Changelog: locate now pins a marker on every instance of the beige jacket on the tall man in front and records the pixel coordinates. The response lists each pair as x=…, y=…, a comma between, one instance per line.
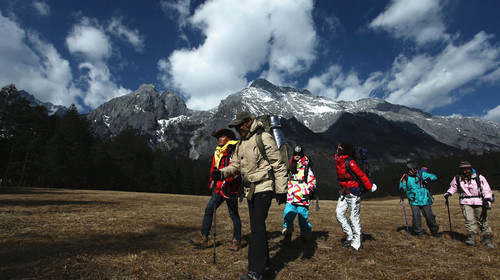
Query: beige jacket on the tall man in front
x=248, y=161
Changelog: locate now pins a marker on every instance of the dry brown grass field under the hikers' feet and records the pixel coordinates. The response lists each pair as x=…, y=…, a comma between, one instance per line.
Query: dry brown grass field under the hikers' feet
x=80, y=234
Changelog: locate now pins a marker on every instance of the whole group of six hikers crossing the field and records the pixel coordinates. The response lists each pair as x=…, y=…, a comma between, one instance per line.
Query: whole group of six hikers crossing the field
x=257, y=167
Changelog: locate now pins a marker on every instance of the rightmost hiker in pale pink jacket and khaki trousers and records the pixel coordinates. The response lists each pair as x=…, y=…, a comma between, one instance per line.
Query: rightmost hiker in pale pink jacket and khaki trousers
x=475, y=199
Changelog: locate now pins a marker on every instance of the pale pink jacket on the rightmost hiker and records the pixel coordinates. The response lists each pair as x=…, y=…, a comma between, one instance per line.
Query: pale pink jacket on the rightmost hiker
x=469, y=193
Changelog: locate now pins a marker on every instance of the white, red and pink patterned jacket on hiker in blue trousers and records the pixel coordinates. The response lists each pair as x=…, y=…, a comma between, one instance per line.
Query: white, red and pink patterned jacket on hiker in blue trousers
x=298, y=189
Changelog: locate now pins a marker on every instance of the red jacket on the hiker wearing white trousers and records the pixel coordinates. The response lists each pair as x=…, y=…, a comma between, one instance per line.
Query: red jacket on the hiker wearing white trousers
x=348, y=184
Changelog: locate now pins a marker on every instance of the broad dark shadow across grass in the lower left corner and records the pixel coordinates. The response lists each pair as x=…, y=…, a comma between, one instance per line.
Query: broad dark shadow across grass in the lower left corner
x=20, y=258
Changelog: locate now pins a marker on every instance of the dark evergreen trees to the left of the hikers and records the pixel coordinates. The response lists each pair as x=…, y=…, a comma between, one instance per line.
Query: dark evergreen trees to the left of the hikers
x=43, y=150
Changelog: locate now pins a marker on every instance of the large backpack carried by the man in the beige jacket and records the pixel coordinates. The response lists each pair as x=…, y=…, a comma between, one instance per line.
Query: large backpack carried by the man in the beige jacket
x=272, y=125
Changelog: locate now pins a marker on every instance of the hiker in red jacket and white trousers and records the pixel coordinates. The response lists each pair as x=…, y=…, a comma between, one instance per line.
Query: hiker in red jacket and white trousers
x=352, y=181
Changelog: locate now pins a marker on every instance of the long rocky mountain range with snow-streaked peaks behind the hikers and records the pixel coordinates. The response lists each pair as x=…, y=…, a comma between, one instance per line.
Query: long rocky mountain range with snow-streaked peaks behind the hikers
x=391, y=132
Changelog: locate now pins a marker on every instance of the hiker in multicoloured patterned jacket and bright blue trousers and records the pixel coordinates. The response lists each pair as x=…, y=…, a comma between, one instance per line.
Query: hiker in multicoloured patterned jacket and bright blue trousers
x=301, y=188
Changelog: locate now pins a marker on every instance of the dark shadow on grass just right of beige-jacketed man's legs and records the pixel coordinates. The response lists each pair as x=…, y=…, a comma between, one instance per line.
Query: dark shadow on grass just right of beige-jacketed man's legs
x=298, y=248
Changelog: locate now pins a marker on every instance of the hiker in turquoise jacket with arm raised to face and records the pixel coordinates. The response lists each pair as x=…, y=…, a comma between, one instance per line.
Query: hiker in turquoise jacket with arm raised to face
x=413, y=183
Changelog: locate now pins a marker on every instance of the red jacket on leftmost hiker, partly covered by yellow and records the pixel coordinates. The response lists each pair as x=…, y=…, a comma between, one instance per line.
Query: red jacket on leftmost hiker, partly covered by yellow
x=231, y=185
